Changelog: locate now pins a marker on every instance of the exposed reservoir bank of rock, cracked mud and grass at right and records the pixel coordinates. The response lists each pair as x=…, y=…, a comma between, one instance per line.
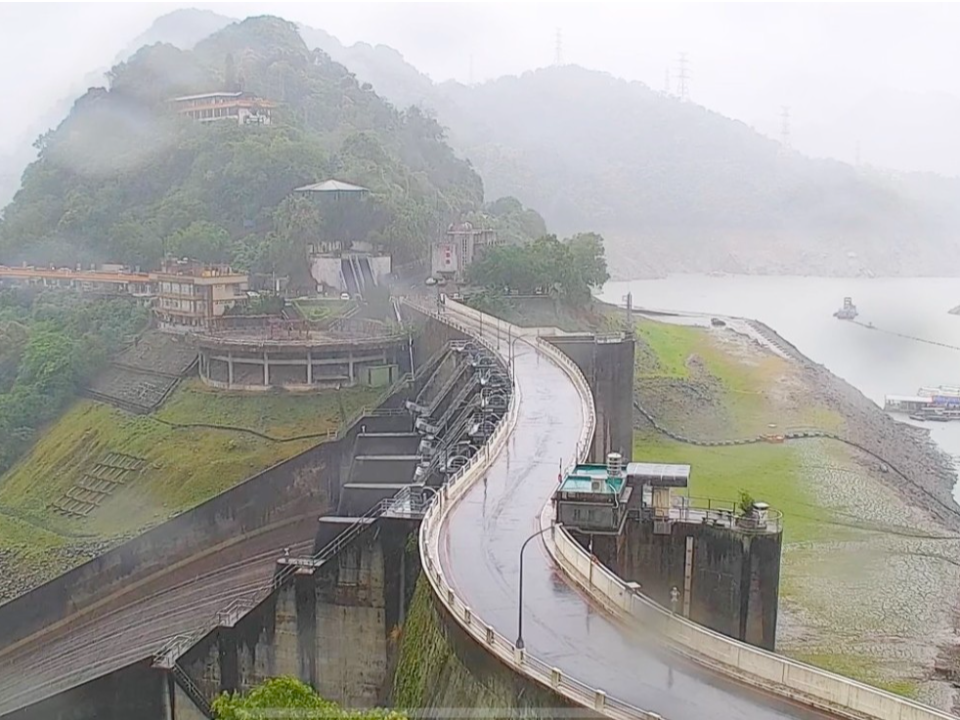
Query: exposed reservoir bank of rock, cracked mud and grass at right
x=869, y=582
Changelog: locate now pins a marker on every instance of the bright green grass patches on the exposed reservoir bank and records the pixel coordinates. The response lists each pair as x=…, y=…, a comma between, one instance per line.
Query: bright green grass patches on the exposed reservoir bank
x=743, y=402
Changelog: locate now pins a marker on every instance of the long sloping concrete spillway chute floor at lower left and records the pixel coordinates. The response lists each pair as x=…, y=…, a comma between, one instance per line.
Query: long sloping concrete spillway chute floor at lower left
x=134, y=625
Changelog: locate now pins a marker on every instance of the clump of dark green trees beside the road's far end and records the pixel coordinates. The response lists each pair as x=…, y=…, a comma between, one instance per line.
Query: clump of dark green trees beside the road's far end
x=567, y=269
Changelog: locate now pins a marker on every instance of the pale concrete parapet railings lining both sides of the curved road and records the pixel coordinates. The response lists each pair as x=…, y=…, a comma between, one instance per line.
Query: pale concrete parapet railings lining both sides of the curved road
x=748, y=665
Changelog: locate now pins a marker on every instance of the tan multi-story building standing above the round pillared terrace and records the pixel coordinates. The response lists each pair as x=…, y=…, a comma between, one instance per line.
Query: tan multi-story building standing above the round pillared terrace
x=192, y=295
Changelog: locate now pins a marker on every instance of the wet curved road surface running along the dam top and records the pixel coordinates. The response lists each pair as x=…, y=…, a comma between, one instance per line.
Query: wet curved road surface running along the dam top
x=480, y=557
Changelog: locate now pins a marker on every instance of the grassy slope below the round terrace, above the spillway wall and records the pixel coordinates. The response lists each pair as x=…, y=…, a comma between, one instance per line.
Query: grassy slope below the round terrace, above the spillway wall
x=185, y=467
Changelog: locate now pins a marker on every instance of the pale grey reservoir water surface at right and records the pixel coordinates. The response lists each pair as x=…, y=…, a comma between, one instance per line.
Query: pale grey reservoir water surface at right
x=801, y=310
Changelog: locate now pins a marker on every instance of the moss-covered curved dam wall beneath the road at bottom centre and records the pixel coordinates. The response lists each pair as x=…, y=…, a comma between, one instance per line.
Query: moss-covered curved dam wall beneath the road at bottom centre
x=441, y=668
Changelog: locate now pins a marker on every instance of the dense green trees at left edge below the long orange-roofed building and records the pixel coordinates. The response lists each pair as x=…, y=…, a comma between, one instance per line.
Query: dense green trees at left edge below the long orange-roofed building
x=51, y=343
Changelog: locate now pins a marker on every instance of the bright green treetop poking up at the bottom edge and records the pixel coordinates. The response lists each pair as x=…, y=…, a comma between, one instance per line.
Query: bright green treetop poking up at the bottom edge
x=286, y=693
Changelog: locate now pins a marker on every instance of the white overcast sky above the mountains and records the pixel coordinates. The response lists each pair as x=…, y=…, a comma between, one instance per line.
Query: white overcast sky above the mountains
x=746, y=60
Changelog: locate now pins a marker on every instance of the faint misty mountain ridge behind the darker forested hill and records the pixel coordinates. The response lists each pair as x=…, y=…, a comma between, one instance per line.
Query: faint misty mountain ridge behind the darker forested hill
x=673, y=186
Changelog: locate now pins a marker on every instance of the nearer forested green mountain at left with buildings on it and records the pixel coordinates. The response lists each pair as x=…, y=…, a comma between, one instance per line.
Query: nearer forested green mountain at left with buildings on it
x=125, y=179
